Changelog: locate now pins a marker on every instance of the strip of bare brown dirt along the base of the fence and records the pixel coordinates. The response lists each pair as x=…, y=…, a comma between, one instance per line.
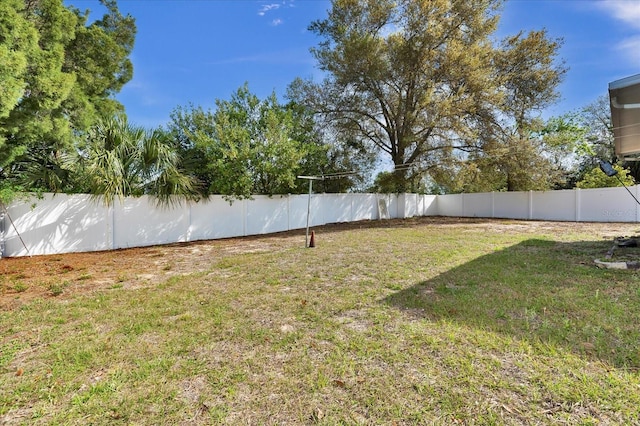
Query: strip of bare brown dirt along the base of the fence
x=23, y=279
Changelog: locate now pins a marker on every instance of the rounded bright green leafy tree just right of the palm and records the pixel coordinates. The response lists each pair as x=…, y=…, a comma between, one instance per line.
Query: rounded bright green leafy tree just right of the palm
x=246, y=146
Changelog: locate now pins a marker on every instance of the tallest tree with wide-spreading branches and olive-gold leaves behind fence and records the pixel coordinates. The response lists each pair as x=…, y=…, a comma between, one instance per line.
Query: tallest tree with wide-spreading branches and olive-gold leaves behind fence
x=419, y=80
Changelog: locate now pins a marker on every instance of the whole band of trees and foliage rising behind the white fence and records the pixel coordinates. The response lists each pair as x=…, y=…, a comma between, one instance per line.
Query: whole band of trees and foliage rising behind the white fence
x=425, y=88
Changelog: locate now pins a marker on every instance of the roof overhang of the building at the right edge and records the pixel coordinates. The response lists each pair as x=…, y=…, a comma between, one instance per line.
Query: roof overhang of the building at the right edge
x=624, y=97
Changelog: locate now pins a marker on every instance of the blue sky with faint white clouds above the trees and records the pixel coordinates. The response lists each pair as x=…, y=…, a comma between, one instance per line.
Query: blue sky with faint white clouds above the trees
x=196, y=51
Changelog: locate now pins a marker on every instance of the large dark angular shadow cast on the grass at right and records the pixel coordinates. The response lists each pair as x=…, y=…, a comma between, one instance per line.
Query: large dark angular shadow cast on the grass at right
x=541, y=291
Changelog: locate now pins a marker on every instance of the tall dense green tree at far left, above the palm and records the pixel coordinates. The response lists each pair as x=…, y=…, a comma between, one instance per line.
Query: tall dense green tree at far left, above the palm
x=73, y=71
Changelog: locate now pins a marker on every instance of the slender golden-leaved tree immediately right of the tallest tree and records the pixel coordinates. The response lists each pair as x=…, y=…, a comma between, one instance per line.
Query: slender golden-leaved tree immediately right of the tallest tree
x=514, y=141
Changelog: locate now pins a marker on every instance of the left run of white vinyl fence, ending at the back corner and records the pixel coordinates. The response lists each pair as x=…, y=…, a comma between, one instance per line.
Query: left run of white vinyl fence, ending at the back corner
x=77, y=223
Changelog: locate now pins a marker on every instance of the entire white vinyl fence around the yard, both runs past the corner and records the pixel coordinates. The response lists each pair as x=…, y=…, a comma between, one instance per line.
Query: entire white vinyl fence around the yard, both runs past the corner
x=76, y=223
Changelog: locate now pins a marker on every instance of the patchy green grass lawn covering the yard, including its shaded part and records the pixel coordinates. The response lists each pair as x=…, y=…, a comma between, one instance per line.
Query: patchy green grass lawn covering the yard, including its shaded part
x=423, y=322
